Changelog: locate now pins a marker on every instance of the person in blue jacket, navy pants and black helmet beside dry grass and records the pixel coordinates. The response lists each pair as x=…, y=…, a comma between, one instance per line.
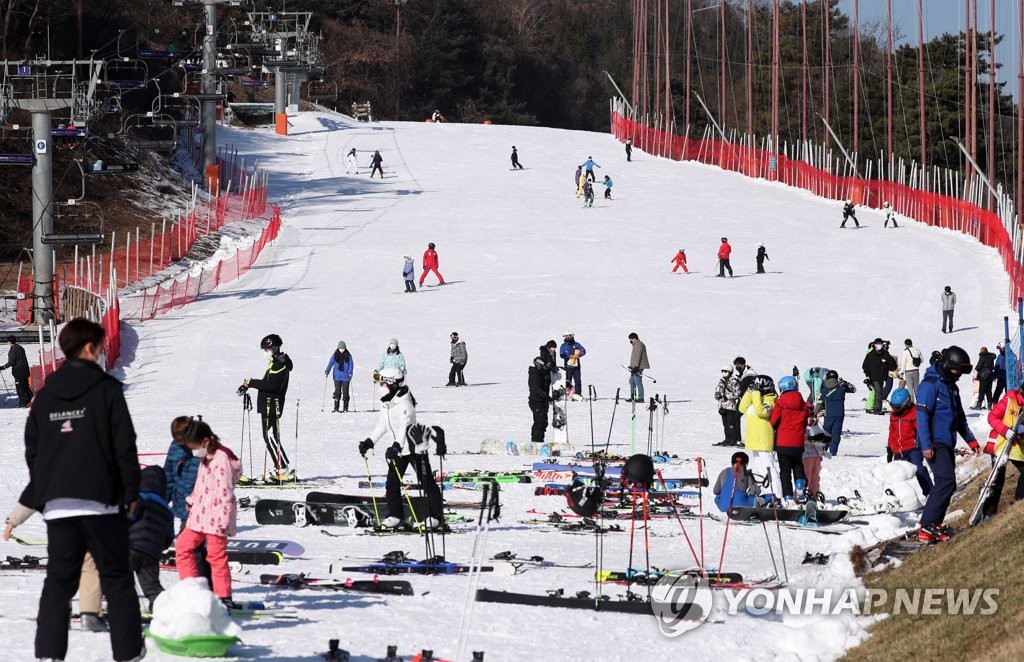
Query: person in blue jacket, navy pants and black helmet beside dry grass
x=941, y=419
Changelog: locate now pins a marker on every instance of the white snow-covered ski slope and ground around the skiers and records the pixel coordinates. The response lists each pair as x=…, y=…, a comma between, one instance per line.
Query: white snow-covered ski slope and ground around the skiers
x=526, y=263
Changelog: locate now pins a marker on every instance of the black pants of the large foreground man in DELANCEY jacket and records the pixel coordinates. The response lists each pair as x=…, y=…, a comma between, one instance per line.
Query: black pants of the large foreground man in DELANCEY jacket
x=106, y=537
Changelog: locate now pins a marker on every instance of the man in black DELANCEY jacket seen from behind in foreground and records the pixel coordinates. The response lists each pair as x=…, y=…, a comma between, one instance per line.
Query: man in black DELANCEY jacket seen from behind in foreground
x=84, y=478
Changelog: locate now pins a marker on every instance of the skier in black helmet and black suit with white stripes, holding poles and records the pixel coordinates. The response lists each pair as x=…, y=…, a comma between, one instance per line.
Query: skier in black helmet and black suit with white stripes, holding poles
x=271, y=402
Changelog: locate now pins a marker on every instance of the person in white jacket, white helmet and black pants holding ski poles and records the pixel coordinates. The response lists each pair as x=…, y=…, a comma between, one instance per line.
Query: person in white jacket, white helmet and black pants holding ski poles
x=410, y=443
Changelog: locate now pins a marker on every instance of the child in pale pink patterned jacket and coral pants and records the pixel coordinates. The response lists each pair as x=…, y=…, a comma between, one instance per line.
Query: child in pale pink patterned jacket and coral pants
x=212, y=509
